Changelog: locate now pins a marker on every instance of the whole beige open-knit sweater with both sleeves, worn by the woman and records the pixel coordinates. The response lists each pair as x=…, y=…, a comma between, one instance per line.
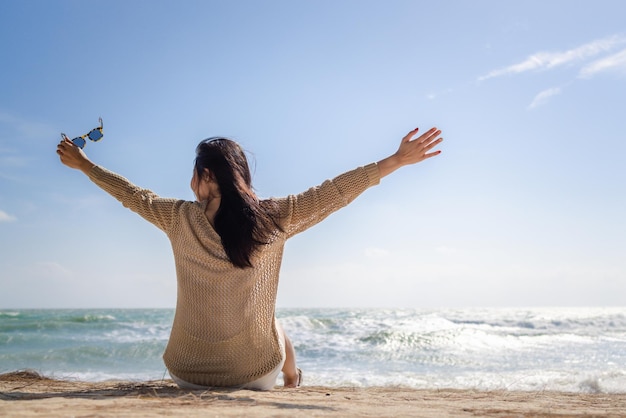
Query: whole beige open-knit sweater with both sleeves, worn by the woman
x=223, y=332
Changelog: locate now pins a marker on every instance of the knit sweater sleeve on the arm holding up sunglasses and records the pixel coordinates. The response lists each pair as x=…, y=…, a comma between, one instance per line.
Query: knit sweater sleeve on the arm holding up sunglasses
x=156, y=210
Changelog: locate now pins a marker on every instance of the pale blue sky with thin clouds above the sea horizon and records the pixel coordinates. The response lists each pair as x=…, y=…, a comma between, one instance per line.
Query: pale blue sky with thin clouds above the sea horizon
x=524, y=207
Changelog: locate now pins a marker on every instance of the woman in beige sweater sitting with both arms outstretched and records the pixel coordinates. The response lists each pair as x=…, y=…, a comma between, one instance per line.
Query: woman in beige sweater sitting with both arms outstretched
x=228, y=247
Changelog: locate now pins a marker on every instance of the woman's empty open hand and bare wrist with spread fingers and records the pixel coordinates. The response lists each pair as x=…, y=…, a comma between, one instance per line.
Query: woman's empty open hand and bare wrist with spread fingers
x=411, y=151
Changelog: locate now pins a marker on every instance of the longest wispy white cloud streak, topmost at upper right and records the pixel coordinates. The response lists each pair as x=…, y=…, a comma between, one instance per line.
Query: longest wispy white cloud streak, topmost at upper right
x=549, y=60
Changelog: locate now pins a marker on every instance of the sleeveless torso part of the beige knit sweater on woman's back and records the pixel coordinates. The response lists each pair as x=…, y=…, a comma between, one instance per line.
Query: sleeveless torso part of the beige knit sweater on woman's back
x=223, y=332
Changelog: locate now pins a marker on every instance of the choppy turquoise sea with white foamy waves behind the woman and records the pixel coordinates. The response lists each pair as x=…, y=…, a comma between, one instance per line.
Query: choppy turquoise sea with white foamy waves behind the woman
x=562, y=349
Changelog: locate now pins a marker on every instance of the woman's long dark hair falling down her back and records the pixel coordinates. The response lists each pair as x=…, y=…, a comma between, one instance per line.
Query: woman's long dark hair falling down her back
x=241, y=221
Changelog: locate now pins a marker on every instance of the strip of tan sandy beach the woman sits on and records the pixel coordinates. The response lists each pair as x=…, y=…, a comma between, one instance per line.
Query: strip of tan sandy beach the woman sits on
x=26, y=394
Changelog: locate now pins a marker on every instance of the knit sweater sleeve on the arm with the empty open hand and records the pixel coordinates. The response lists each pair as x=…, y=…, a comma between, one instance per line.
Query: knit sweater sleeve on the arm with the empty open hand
x=302, y=211
